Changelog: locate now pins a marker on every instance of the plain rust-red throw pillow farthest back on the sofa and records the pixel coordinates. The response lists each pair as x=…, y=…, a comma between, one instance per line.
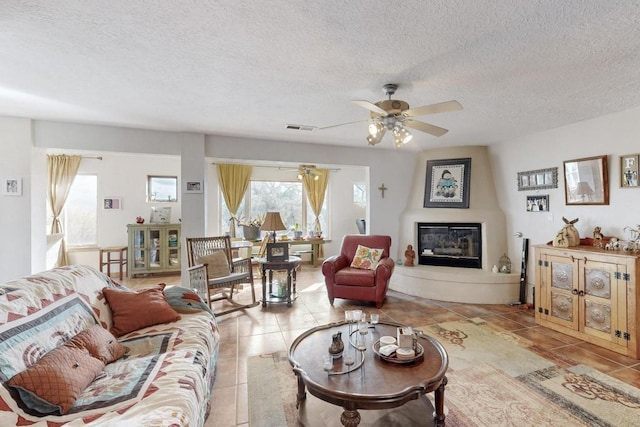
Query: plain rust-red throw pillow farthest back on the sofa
x=136, y=310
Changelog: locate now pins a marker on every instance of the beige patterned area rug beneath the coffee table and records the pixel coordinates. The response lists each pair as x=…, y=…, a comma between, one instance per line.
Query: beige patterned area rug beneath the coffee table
x=493, y=381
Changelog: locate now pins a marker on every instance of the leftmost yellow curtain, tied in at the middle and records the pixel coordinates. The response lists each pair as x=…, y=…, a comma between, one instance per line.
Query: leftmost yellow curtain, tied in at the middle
x=62, y=170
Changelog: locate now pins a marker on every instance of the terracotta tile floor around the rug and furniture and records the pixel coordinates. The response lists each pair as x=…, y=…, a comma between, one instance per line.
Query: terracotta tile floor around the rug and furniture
x=273, y=328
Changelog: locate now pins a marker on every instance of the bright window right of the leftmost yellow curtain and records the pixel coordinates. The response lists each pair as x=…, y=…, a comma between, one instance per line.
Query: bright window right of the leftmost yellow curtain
x=80, y=213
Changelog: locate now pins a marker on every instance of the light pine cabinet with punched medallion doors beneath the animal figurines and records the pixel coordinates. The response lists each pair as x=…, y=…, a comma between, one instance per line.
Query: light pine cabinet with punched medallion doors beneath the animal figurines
x=591, y=294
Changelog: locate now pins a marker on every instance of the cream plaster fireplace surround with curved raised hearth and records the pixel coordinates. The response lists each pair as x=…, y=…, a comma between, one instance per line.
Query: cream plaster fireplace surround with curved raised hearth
x=468, y=285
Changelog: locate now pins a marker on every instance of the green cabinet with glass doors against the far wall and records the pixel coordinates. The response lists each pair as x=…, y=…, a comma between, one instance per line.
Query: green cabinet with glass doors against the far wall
x=153, y=248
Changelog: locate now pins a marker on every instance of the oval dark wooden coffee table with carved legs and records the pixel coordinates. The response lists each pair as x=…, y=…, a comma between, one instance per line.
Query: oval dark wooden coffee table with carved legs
x=376, y=385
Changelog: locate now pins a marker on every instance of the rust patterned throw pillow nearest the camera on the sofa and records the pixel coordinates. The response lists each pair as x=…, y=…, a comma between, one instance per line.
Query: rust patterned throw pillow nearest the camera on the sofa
x=53, y=383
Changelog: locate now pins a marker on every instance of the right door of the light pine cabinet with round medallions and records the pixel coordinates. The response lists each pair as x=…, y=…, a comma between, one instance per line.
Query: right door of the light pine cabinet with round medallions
x=601, y=313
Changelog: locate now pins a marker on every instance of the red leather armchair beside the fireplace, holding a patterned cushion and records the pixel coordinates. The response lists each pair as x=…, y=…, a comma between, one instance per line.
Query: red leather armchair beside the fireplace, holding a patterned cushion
x=347, y=282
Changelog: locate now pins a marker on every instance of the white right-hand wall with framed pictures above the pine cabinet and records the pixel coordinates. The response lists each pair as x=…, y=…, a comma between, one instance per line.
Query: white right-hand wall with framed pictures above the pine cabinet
x=612, y=135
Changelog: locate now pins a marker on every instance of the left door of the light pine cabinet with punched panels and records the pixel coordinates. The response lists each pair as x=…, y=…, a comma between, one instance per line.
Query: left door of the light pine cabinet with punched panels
x=562, y=291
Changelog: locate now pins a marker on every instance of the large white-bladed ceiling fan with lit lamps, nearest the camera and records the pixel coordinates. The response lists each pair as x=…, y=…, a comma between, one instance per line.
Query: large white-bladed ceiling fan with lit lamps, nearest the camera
x=395, y=116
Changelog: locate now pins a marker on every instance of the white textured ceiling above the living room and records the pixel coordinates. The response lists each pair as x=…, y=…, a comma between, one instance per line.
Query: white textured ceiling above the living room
x=247, y=68
